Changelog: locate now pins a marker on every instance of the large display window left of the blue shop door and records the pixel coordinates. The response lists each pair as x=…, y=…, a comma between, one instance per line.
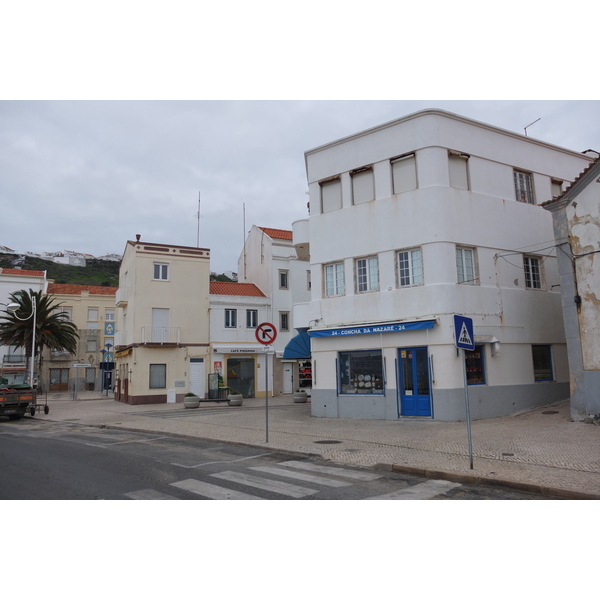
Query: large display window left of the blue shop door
x=361, y=372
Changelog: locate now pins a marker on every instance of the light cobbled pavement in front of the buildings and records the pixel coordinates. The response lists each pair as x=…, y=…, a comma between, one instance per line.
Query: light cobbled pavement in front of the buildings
x=540, y=451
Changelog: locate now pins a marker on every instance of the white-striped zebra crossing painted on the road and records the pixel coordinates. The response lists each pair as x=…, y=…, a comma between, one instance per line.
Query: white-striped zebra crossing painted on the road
x=292, y=479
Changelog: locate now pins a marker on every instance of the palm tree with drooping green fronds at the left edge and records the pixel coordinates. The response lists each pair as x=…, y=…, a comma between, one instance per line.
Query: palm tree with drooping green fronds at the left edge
x=52, y=328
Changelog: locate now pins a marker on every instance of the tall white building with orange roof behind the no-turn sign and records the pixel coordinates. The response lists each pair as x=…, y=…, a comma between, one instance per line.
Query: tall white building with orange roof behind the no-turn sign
x=270, y=260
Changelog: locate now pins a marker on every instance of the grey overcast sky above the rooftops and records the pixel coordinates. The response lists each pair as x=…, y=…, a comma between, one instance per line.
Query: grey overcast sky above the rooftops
x=90, y=175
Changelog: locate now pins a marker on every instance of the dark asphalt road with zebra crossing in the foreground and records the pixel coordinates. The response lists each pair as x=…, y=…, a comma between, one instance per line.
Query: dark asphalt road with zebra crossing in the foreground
x=64, y=461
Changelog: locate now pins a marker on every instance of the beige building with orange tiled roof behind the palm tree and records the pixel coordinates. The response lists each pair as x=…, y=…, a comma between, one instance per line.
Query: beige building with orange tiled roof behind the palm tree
x=92, y=309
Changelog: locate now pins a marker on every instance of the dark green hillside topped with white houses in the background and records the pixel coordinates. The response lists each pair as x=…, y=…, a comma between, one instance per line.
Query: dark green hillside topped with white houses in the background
x=96, y=272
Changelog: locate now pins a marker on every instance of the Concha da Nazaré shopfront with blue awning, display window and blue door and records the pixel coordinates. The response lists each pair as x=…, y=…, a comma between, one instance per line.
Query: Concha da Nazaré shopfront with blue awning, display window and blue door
x=370, y=361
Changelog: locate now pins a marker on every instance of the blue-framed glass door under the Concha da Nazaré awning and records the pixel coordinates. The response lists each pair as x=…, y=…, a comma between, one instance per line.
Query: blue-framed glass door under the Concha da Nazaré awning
x=415, y=395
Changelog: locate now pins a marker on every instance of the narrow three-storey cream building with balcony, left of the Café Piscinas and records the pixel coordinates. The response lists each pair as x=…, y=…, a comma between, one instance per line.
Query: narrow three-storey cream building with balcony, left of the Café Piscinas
x=162, y=338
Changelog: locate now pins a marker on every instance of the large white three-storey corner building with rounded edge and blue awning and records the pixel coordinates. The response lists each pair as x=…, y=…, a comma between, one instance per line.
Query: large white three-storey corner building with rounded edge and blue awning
x=415, y=221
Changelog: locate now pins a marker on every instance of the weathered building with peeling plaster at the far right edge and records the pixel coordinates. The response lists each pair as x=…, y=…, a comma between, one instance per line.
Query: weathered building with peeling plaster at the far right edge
x=576, y=218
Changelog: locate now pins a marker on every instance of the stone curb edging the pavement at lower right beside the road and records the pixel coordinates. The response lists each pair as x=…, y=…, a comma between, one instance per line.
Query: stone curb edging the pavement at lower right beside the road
x=541, y=490
